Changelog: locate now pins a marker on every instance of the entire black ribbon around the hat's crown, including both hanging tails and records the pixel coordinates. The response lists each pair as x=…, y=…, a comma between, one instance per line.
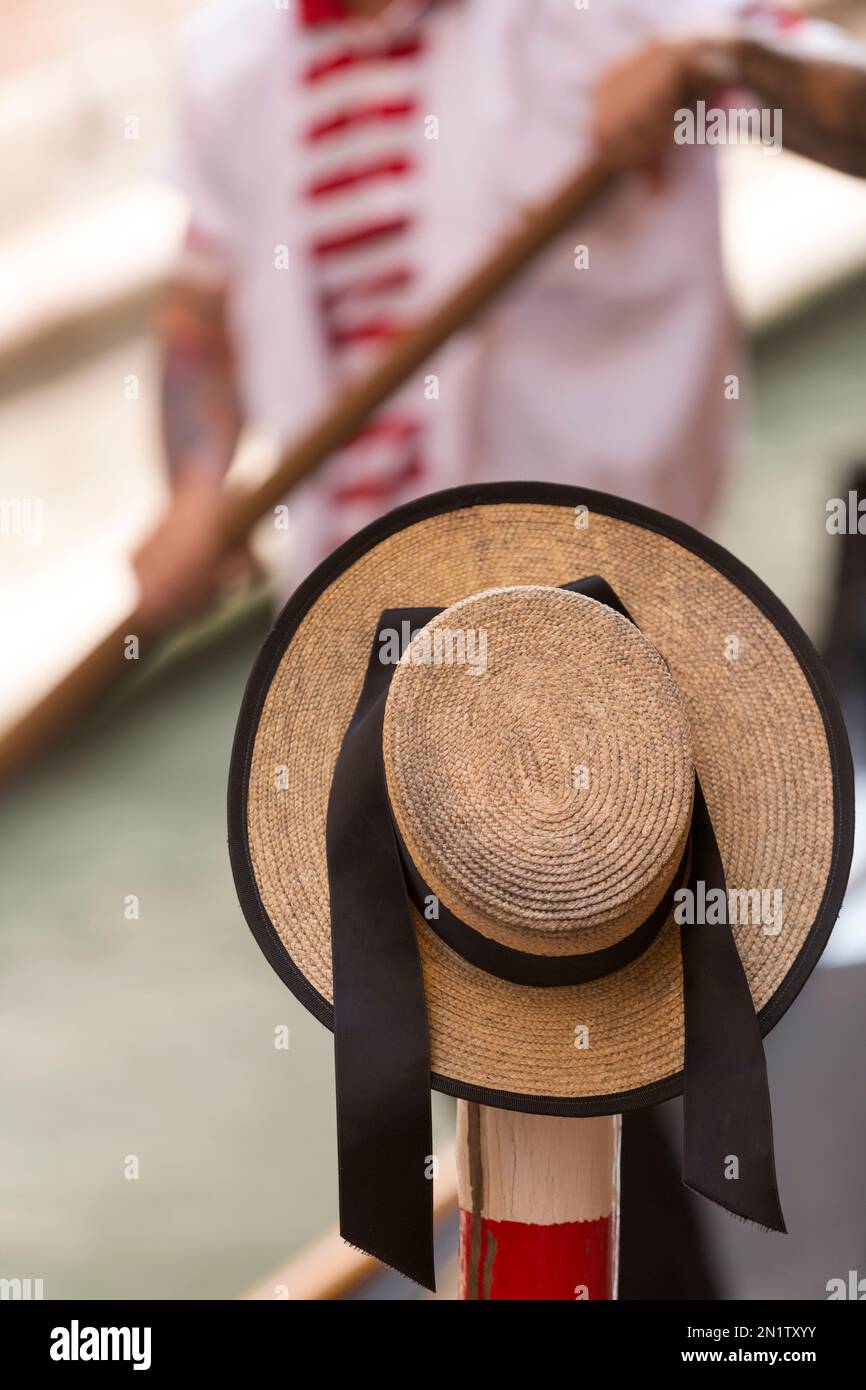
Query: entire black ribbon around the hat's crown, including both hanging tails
x=380, y=1013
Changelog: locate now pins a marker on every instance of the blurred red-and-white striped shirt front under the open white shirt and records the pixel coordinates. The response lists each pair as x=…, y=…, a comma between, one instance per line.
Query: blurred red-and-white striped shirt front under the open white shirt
x=361, y=145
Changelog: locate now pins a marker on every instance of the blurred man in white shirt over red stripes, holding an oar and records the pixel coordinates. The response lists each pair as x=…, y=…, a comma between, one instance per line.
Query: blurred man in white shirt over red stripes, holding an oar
x=347, y=162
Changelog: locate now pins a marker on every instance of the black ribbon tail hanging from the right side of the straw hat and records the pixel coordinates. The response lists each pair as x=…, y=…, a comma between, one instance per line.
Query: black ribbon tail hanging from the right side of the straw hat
x=728, y=1143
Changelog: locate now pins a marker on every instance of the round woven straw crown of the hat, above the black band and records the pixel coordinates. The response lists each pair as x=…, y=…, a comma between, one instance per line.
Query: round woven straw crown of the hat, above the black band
x=540, y=768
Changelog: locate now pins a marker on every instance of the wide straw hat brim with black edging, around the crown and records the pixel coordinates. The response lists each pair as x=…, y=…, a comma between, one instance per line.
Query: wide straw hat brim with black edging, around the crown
x=769, y=742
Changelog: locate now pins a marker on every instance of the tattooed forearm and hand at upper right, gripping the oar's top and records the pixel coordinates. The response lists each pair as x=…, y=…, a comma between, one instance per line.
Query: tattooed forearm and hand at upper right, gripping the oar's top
x=824, y=101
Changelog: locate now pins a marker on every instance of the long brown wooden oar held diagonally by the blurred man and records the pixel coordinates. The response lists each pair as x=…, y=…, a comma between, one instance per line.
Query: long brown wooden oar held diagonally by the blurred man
x=108, y=662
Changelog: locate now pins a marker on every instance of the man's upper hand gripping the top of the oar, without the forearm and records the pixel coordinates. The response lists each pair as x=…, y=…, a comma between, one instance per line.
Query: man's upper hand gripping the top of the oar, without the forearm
x=636, y=105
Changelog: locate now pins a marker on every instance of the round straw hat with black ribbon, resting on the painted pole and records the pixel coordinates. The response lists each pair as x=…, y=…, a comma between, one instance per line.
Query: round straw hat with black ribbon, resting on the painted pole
x=546, y=760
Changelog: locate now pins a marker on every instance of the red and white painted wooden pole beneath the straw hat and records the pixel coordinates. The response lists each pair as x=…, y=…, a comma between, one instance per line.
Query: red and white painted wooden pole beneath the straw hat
x=539, y=1203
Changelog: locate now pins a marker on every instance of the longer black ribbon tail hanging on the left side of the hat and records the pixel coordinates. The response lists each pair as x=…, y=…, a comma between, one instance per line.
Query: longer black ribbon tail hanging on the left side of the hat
x=380, y=1014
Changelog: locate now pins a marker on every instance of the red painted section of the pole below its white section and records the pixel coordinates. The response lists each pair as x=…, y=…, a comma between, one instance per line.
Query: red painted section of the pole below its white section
x=521, y=1263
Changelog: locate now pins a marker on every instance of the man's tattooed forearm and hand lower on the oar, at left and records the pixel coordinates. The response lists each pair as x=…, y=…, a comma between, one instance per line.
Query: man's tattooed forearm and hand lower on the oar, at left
x=179, y=564
